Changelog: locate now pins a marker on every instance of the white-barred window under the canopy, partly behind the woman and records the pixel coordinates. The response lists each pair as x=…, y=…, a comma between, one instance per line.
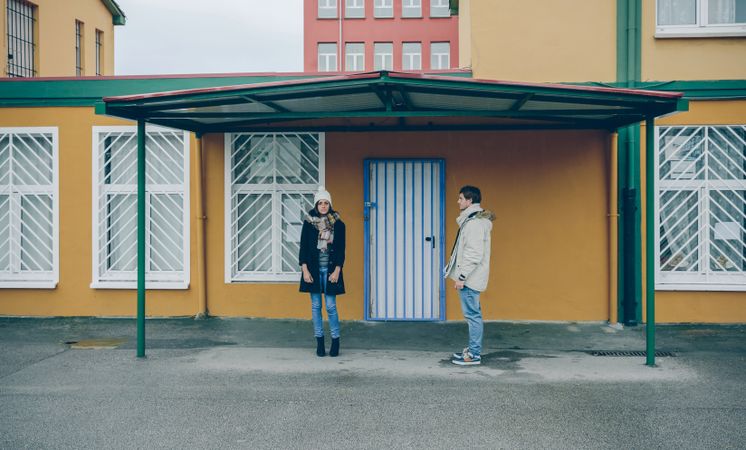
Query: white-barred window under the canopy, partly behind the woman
x=270, y=181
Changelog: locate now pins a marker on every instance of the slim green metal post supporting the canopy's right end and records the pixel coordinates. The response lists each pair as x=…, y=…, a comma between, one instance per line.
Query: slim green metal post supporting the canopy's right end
x=650, y=239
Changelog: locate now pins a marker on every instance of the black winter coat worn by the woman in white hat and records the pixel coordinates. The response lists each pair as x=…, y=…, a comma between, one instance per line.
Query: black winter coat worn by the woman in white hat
x=309, y=255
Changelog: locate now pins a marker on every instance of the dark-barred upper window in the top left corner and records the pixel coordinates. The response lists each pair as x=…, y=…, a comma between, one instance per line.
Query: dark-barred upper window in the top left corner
x=21, y=41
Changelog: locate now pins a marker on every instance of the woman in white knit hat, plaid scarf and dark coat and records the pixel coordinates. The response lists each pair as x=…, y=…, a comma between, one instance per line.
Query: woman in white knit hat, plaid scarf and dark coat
x=322, y=255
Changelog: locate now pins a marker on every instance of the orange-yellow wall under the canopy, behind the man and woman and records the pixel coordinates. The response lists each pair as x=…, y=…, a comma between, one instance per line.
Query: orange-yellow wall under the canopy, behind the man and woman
x=548, y=189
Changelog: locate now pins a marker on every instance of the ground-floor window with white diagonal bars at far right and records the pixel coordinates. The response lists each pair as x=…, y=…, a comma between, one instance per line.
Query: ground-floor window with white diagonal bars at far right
x=702, y=207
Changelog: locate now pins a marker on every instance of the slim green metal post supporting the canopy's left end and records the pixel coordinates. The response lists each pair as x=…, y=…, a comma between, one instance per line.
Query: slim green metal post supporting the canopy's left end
x=140, y=239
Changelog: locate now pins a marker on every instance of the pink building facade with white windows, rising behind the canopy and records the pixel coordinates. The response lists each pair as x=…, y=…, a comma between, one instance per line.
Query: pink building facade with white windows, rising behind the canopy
x=367, y=35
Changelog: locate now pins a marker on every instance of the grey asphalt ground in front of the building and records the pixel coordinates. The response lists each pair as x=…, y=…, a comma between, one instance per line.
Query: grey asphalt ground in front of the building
x=251, y=383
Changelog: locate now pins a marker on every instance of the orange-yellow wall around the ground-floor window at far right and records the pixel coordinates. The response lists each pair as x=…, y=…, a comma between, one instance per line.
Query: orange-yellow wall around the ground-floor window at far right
x=695, y=306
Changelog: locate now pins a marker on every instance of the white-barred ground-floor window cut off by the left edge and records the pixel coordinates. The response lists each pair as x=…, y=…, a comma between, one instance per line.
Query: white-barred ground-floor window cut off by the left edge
x=29, y=208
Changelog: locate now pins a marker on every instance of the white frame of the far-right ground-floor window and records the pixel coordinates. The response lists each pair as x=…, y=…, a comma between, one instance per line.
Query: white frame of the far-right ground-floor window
x=703, y=280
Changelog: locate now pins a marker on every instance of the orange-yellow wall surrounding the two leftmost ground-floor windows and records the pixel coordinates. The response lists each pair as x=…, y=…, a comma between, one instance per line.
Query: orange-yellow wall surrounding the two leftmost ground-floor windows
x=73, y=295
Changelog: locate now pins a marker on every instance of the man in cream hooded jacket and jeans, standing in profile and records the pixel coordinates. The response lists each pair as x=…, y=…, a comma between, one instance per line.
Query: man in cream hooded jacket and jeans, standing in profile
x=469, y=267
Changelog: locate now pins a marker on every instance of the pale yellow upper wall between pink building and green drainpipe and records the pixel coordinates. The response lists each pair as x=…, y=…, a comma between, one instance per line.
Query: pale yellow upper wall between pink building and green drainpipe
x=542, y=40
